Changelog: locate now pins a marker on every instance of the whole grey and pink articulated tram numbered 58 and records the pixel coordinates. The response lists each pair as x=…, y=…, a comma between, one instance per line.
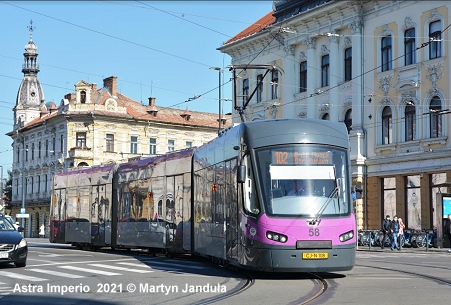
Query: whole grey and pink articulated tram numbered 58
x=267, y=195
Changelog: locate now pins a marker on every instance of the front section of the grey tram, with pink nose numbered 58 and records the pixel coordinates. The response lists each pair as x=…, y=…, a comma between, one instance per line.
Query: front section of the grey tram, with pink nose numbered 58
x=281, y=197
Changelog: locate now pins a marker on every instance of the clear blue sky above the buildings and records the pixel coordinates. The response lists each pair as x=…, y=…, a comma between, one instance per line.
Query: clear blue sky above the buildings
x=161, y=49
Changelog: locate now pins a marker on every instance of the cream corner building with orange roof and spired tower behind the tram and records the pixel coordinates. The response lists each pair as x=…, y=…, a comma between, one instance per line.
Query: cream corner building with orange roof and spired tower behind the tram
x=91, y=126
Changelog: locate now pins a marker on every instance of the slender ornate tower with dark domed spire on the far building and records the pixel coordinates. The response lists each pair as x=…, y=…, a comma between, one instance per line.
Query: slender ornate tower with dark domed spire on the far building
x=30, y=97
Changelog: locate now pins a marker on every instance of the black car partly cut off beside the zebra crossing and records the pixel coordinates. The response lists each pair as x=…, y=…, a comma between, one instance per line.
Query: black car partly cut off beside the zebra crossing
x=13, y=247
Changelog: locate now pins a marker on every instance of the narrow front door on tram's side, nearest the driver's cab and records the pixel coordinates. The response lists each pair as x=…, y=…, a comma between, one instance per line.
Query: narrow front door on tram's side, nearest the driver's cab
x=231, y=211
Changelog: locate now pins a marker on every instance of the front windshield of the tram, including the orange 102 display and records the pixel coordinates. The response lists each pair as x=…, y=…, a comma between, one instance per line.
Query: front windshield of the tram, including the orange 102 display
x=304, y=180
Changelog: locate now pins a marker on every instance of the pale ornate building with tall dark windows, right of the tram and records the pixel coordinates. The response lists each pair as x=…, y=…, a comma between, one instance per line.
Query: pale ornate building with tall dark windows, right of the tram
x=381, y=68
